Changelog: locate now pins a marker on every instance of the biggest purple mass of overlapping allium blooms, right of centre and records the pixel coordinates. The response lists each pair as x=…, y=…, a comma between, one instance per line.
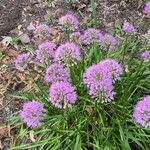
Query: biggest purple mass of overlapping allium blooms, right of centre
x=99, y=79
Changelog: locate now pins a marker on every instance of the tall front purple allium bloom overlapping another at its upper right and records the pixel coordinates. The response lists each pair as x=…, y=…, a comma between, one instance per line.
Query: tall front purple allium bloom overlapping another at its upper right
x=99, y=82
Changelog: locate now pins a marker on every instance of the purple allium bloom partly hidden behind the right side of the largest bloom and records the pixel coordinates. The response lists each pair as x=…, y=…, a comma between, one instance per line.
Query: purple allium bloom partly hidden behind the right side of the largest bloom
x=114, y=67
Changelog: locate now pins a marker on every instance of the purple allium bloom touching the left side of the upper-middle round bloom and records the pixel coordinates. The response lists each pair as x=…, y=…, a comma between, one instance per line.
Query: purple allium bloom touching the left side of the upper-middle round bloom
x=45, y=52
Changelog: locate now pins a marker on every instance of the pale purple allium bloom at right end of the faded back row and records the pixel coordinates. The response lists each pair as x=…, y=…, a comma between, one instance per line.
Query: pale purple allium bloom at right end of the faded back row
x=108, y=39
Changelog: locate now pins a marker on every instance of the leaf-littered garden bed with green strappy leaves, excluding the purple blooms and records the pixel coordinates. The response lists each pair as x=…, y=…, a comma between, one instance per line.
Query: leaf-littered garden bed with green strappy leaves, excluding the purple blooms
x=18, y=87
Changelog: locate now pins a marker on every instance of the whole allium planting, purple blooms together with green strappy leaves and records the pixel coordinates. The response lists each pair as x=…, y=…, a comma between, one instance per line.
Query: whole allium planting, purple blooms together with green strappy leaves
x=86, y=100
